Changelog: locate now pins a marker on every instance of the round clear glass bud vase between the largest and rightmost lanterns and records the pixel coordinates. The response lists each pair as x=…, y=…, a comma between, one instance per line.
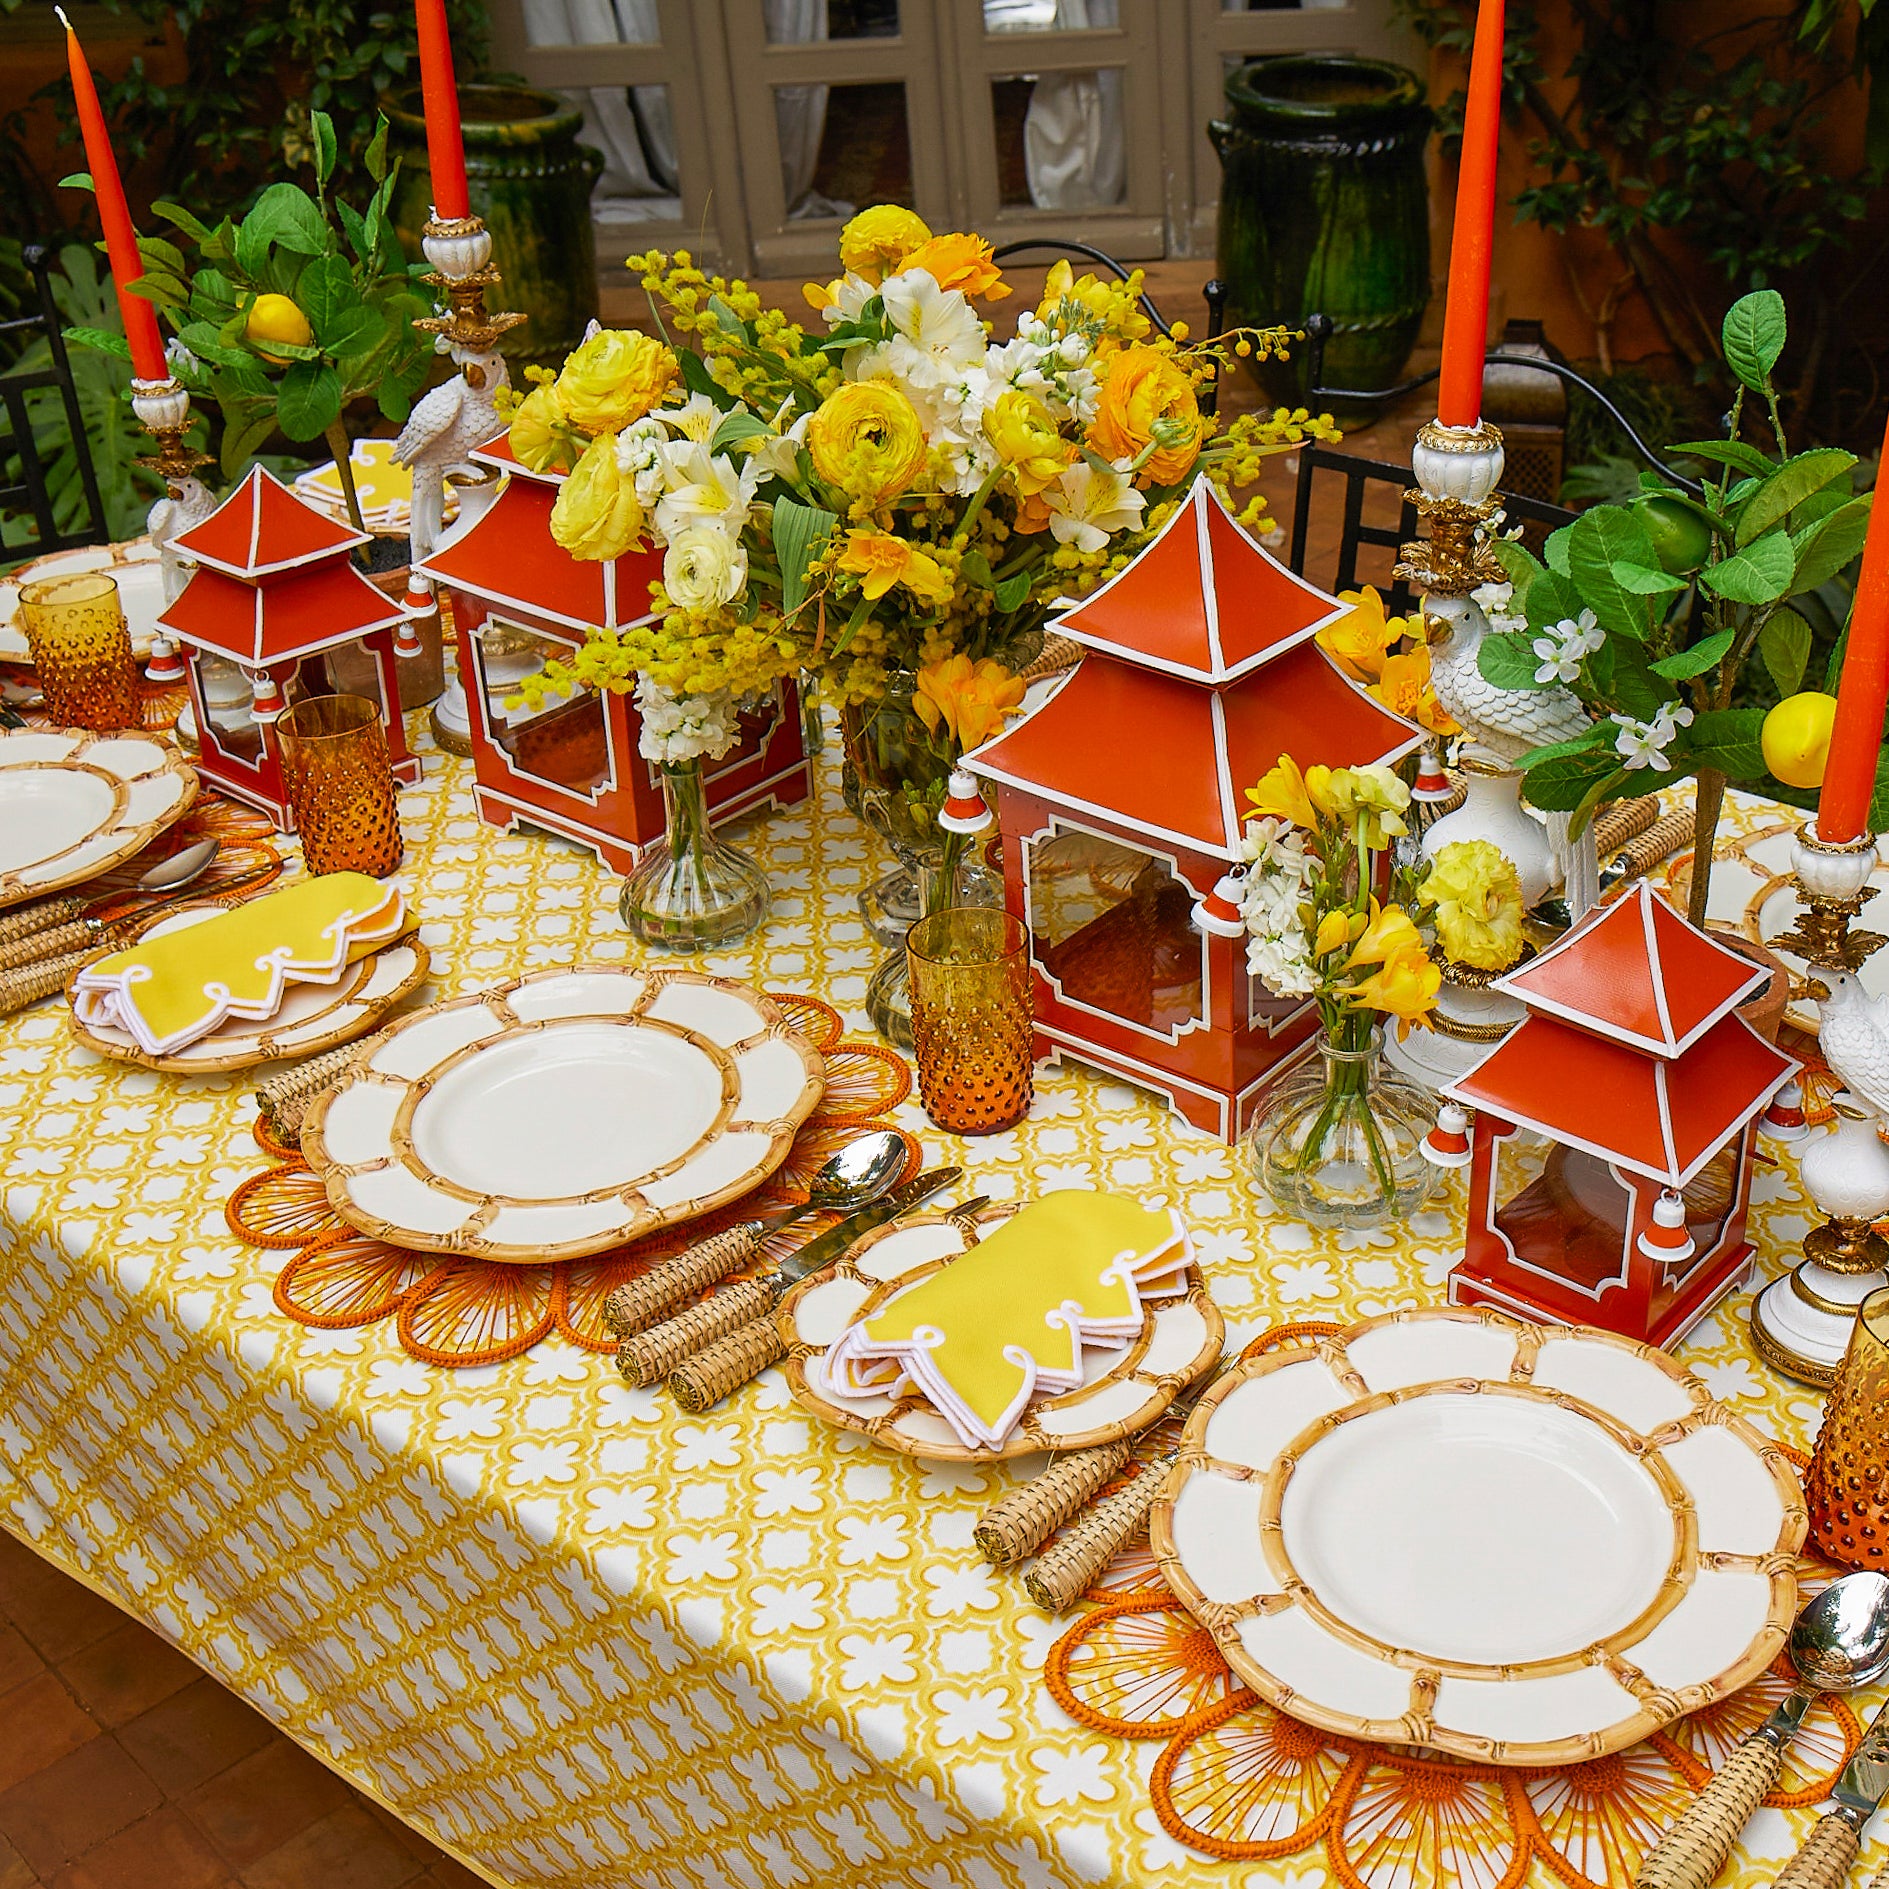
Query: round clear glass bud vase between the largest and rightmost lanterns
x=1340, y=1142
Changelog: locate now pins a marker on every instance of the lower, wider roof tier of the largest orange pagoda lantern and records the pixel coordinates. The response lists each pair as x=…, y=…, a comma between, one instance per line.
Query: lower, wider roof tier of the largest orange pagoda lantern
x=1172, y=760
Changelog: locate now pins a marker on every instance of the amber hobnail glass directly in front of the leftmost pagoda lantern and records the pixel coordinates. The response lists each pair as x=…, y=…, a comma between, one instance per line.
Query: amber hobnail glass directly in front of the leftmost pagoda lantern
x=341, y=785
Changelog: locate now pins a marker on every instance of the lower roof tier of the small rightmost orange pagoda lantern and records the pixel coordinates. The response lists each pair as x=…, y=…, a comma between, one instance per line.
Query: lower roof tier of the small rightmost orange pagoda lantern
x=1661, y=1117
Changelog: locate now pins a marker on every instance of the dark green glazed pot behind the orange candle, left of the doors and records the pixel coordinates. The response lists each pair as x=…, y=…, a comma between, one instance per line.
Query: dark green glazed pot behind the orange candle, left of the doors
x=530, y=179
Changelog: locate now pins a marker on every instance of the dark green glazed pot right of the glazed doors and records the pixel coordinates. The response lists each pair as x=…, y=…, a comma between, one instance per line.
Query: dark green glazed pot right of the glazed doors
x=1325, y=211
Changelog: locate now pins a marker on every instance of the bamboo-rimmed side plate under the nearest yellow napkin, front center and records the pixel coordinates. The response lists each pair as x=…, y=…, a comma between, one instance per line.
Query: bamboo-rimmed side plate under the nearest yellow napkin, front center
x=1182, y=1338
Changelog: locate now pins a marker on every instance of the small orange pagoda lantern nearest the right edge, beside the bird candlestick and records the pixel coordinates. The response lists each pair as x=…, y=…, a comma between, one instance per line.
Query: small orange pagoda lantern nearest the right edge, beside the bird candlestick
x=1610, y=1163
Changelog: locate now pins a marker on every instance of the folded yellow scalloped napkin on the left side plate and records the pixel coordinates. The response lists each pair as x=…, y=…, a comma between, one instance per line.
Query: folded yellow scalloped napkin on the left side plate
x=179, y=987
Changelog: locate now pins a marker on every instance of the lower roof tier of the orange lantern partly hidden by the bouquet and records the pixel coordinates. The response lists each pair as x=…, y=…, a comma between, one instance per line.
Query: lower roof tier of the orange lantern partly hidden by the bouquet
x=511, y=558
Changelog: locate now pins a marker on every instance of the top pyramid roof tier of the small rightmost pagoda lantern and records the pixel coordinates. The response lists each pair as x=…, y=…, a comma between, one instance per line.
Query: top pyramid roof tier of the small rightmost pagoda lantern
x=1639, y=974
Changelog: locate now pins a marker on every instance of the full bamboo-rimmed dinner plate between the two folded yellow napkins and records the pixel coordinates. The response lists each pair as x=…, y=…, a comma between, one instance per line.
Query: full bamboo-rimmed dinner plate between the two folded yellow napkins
x=564, y=1114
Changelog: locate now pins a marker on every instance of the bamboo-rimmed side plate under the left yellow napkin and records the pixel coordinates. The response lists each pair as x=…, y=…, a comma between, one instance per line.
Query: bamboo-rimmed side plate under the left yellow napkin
x=313, y=1017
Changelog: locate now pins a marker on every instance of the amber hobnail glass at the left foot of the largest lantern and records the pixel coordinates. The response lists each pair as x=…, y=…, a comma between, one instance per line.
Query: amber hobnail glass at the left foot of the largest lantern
x=972, y=1019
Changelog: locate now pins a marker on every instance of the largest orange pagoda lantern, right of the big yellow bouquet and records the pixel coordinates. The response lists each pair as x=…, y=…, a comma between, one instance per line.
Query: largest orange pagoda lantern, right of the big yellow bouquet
x=1123, y=802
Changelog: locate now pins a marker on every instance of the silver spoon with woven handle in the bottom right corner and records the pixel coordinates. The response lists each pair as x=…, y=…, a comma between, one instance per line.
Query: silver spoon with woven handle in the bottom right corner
x=1839, y=1642
